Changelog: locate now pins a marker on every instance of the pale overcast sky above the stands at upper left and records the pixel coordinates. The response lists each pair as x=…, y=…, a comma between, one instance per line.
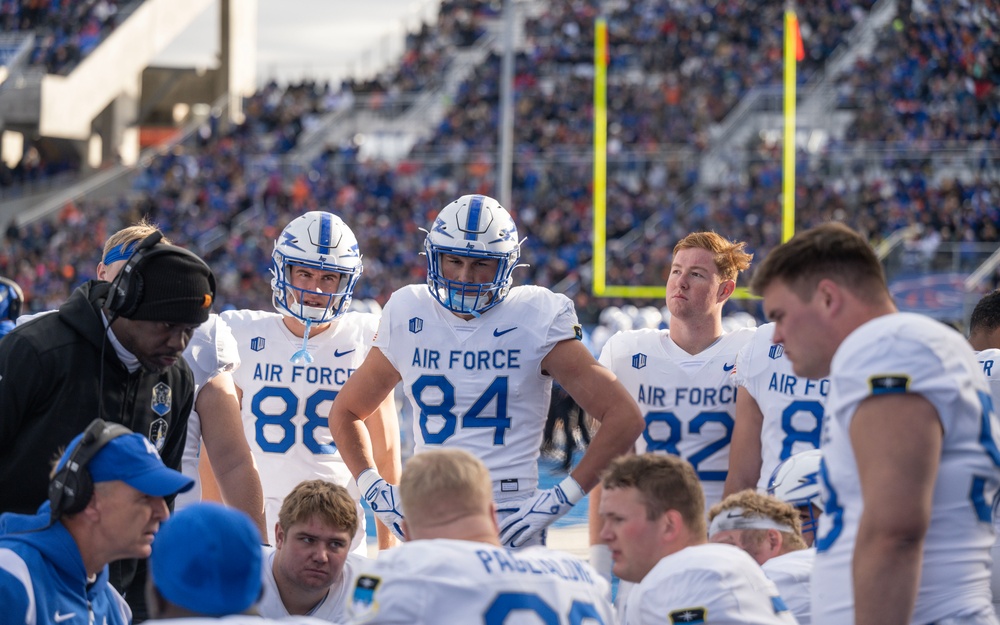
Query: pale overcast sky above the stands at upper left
x=323, y=39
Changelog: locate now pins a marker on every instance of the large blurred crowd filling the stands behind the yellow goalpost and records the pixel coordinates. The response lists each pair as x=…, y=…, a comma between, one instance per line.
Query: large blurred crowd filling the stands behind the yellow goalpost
x=203, y=186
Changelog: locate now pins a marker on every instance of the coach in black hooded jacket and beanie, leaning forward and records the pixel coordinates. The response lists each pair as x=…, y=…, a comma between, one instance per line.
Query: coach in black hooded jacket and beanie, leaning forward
x=60, y=371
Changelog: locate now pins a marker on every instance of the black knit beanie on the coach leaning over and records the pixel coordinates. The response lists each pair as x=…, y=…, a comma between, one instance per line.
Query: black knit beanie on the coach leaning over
x=174, y=288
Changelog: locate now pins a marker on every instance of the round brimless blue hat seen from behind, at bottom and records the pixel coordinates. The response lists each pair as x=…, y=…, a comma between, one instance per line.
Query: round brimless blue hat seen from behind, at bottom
x=207, y=559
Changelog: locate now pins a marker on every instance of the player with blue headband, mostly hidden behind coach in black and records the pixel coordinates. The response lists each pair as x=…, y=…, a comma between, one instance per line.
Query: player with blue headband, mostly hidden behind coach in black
x=211, y=354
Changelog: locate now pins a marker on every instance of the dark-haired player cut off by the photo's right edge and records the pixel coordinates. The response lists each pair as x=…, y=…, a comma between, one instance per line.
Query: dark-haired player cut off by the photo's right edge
x=984, y=337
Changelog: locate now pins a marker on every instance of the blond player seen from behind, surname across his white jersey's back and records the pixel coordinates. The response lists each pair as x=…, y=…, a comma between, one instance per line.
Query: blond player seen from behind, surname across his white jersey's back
x=452, y=569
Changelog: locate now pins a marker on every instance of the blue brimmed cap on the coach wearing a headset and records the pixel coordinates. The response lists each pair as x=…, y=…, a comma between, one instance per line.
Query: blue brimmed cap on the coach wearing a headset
x=132, y=459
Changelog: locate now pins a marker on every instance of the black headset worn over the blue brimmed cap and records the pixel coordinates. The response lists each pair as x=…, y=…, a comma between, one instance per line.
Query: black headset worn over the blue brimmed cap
x=72, y=487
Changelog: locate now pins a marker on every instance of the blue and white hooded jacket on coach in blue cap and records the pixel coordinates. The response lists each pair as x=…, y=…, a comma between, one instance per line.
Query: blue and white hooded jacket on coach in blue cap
x=43, y=580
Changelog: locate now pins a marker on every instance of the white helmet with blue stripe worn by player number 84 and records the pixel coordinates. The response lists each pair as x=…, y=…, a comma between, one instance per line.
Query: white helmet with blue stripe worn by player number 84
x=473, y=226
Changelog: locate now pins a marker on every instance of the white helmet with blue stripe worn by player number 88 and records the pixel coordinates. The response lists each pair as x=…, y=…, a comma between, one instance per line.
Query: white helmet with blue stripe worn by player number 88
x=322, y=241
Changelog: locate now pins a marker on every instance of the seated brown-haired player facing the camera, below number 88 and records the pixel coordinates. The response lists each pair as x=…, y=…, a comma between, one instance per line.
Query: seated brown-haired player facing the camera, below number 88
x=309, y=570
